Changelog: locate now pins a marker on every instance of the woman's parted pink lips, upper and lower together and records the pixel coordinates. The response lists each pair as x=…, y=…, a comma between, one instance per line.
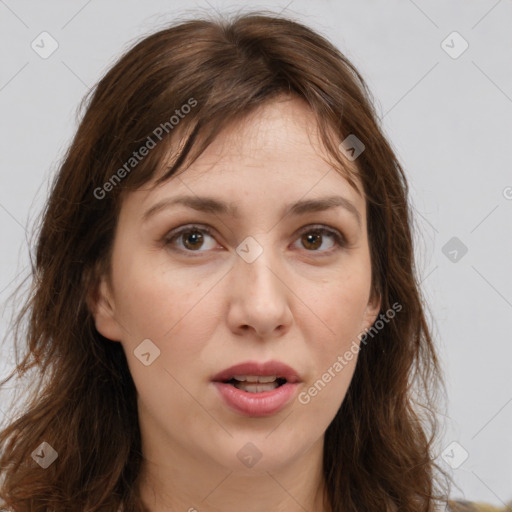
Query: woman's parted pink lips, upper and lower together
x=258, y=404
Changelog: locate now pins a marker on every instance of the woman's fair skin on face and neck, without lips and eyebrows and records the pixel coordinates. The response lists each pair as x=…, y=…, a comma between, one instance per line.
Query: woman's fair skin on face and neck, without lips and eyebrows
x=301, y=302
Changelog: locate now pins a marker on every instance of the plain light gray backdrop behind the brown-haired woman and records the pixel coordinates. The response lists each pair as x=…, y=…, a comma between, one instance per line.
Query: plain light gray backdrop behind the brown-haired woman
x=449, y=119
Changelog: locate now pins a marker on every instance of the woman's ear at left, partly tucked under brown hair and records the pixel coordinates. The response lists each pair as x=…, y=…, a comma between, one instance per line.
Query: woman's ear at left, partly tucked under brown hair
x=102, y=307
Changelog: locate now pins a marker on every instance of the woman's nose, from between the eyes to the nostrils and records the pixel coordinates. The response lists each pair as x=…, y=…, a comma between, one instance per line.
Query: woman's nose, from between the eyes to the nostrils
x=259, y=297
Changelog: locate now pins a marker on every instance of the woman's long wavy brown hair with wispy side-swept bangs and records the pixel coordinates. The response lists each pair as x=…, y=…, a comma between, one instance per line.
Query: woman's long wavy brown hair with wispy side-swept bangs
x=378, y=448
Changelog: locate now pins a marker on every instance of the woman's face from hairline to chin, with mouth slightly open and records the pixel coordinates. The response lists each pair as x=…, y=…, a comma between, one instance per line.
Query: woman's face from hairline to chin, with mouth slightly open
x=264, y=284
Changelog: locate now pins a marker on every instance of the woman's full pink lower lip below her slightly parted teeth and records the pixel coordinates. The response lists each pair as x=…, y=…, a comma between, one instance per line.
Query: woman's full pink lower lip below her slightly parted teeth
x=265, y=403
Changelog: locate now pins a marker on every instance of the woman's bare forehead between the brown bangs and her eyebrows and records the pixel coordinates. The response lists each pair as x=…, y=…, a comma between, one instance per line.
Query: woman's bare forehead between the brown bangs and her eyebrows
x=274, y=154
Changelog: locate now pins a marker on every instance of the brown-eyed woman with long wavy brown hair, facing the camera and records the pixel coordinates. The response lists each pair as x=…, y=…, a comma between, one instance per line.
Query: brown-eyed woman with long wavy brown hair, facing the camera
x=225, y=312
